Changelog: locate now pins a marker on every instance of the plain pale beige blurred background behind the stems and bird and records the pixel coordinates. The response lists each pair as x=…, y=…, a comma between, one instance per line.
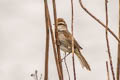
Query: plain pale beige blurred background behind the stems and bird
x=22, y=38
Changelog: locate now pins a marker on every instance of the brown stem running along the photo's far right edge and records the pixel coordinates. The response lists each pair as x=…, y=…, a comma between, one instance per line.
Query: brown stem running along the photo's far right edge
x=118, y=59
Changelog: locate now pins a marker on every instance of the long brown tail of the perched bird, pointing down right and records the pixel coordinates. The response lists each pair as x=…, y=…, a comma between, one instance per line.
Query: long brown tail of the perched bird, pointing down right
x=83, y=62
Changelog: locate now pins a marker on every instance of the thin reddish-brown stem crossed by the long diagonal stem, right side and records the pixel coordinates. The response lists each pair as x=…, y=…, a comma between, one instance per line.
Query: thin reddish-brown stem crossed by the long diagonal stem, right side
x=108, y=47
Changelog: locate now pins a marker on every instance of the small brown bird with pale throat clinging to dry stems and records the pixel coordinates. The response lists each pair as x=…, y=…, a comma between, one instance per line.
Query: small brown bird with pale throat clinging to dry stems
x=65, y=42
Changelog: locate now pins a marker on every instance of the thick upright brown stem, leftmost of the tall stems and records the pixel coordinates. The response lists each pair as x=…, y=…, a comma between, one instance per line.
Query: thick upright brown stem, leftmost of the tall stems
x=47, y=43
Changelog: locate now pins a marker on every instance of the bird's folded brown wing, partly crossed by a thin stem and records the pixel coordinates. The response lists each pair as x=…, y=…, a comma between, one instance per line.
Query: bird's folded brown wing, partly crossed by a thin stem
x=68, y=36
